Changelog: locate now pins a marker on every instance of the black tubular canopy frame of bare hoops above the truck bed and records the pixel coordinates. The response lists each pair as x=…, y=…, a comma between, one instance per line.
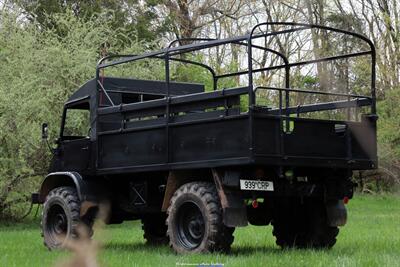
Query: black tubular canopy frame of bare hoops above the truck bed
x=168, y=55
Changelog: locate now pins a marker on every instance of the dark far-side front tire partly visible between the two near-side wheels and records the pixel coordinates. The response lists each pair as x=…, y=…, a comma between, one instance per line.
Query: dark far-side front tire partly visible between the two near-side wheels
x=155, y=229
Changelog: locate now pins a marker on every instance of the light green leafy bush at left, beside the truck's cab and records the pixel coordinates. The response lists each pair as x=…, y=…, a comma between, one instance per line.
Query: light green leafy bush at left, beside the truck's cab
x=39, y=70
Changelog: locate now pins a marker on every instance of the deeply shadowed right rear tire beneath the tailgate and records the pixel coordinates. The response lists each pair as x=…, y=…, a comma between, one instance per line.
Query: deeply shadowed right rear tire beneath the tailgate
x=303, y=225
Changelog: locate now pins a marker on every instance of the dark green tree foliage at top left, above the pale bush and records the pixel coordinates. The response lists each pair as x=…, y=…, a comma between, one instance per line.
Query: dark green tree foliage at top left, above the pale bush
x=138, y=19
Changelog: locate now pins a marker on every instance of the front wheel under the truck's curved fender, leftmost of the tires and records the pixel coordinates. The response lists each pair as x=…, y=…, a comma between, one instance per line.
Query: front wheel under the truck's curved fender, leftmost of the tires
x=61, y=218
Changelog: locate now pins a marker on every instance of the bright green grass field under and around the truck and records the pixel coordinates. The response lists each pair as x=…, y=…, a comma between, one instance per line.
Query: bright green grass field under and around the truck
x=371, y=238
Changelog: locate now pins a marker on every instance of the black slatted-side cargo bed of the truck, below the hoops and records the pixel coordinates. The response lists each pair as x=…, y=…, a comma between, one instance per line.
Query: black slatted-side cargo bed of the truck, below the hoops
x=209, y=130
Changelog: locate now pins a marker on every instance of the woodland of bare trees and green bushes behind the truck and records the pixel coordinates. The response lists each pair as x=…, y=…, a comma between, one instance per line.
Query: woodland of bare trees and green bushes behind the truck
x=49, y=48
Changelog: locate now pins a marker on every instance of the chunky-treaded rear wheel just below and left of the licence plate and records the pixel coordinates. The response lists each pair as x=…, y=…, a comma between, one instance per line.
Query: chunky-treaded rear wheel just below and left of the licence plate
x=192, y=203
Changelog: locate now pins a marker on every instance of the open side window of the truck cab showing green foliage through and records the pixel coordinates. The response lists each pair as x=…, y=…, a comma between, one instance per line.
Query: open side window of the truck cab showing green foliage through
x=77, y=122
